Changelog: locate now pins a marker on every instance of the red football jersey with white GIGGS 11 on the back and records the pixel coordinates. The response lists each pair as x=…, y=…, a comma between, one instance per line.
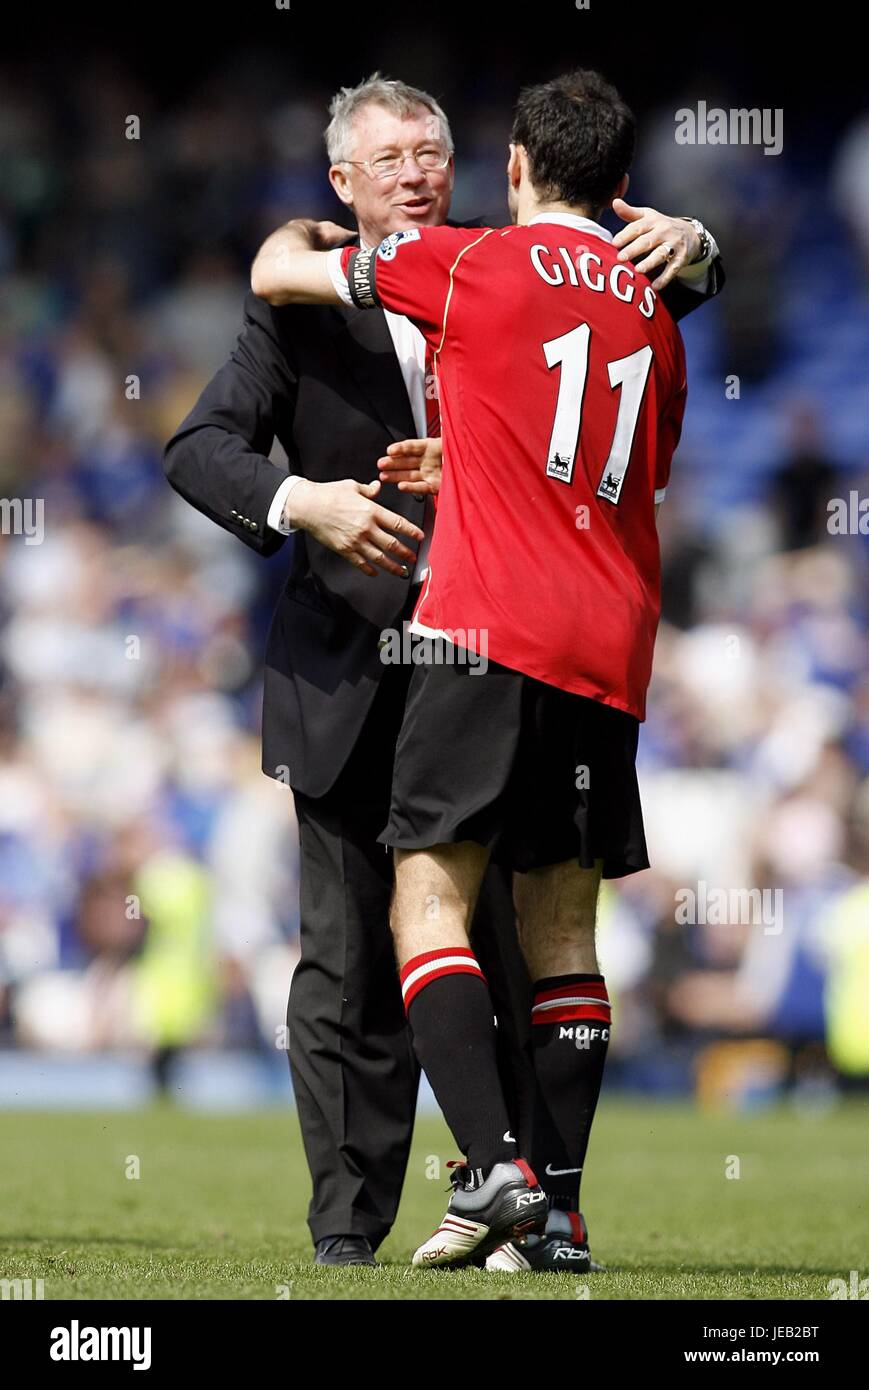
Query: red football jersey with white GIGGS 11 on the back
x=562, y=387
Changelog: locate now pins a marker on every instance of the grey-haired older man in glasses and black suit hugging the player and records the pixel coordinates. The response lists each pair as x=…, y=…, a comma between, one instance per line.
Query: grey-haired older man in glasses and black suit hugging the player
x=337, y=389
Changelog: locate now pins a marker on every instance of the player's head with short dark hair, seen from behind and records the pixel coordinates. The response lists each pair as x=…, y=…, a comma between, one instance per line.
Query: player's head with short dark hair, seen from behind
x=579, y=137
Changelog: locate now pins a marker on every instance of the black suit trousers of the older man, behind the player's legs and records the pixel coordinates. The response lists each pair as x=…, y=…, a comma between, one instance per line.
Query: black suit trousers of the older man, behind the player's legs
x=354, y=1068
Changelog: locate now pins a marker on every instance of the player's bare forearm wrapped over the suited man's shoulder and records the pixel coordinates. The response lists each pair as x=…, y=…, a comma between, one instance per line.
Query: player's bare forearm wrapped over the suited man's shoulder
x=284, y=273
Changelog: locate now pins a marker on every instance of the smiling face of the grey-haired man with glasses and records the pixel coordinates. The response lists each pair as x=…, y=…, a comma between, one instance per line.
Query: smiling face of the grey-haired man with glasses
x=411, y=198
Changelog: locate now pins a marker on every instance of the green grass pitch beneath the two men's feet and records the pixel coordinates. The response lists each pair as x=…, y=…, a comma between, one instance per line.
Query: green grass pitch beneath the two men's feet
x=219, y=1209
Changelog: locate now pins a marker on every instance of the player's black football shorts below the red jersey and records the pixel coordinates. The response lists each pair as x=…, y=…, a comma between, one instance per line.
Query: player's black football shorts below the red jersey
x=533, y=772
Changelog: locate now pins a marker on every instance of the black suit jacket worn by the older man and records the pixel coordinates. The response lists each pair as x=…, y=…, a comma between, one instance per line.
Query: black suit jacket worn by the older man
x=327, y=384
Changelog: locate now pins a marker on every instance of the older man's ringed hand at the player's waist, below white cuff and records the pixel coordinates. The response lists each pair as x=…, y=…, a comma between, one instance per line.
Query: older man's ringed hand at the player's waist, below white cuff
x=346, y=518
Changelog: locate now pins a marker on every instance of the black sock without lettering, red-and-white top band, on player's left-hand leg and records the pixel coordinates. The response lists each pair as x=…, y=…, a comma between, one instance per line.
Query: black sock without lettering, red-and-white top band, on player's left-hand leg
x=454, y=1036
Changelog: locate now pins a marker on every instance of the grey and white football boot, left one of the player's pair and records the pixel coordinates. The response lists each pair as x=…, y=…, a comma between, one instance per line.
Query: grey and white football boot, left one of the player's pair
x=486, y=1213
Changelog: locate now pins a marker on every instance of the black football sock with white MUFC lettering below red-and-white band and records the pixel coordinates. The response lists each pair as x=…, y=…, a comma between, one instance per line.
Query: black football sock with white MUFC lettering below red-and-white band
x=571, y=1024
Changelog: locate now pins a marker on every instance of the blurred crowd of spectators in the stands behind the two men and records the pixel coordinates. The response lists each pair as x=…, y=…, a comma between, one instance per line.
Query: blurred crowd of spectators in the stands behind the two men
x=148, y=869
